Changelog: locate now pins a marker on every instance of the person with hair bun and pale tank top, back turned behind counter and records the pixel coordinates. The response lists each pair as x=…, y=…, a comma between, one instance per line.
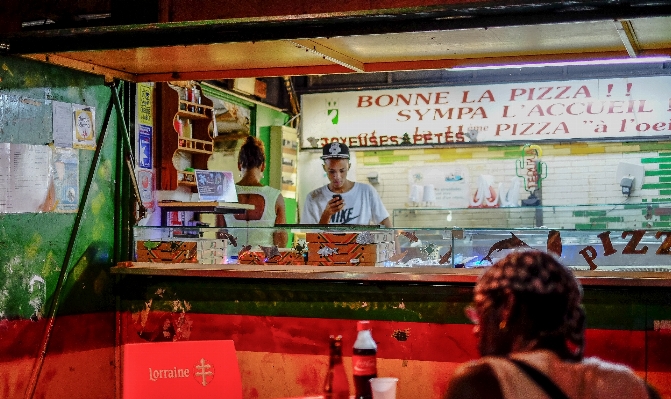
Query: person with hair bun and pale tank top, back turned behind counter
x=269, y=208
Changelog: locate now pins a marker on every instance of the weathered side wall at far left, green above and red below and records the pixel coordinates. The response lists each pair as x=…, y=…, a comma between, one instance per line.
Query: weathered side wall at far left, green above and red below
x=33, y=245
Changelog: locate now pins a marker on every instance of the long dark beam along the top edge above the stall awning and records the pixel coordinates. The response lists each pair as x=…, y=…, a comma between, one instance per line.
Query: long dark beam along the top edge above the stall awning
x=326, y=25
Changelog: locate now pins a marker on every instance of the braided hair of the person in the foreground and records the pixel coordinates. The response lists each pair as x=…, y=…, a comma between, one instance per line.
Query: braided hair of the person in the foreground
x=547, y=296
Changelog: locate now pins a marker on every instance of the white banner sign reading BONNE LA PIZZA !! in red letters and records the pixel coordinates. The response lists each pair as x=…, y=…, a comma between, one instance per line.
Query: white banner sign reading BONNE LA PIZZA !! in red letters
x=612, y=108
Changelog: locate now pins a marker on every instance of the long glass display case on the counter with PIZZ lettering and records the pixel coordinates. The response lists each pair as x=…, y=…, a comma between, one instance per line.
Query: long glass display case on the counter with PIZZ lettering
x=605, y=249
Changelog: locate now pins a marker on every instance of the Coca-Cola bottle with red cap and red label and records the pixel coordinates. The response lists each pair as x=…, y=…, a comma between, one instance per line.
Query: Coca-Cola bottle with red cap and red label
x=364, y=360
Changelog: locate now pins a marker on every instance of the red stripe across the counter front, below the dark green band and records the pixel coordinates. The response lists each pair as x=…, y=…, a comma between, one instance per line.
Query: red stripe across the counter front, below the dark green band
x=396, y=340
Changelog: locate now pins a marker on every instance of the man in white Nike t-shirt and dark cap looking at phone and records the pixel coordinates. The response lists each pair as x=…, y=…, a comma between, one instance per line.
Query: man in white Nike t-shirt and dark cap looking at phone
x=343, y=201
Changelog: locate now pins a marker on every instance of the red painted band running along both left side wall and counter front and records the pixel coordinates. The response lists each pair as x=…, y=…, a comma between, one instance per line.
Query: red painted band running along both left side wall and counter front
x=84, y=345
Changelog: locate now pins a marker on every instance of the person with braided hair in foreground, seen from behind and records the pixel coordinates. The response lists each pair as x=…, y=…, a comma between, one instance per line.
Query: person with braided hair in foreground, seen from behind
x=530, y=328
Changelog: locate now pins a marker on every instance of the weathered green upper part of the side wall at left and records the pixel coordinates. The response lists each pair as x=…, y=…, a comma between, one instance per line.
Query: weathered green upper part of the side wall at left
x=35, y=244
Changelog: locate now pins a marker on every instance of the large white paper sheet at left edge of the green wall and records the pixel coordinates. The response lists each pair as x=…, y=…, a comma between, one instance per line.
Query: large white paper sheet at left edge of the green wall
x=26, y=181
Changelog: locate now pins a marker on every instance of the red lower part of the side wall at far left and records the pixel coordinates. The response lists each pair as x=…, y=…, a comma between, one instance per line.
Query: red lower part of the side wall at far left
x=79, y=360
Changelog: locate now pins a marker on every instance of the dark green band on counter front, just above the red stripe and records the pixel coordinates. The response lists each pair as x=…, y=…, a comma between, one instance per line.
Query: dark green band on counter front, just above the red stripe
x=611, y=308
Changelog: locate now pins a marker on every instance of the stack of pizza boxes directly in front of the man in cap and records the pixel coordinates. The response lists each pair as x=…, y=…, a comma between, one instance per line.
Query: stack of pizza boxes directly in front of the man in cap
x=361, y=248
